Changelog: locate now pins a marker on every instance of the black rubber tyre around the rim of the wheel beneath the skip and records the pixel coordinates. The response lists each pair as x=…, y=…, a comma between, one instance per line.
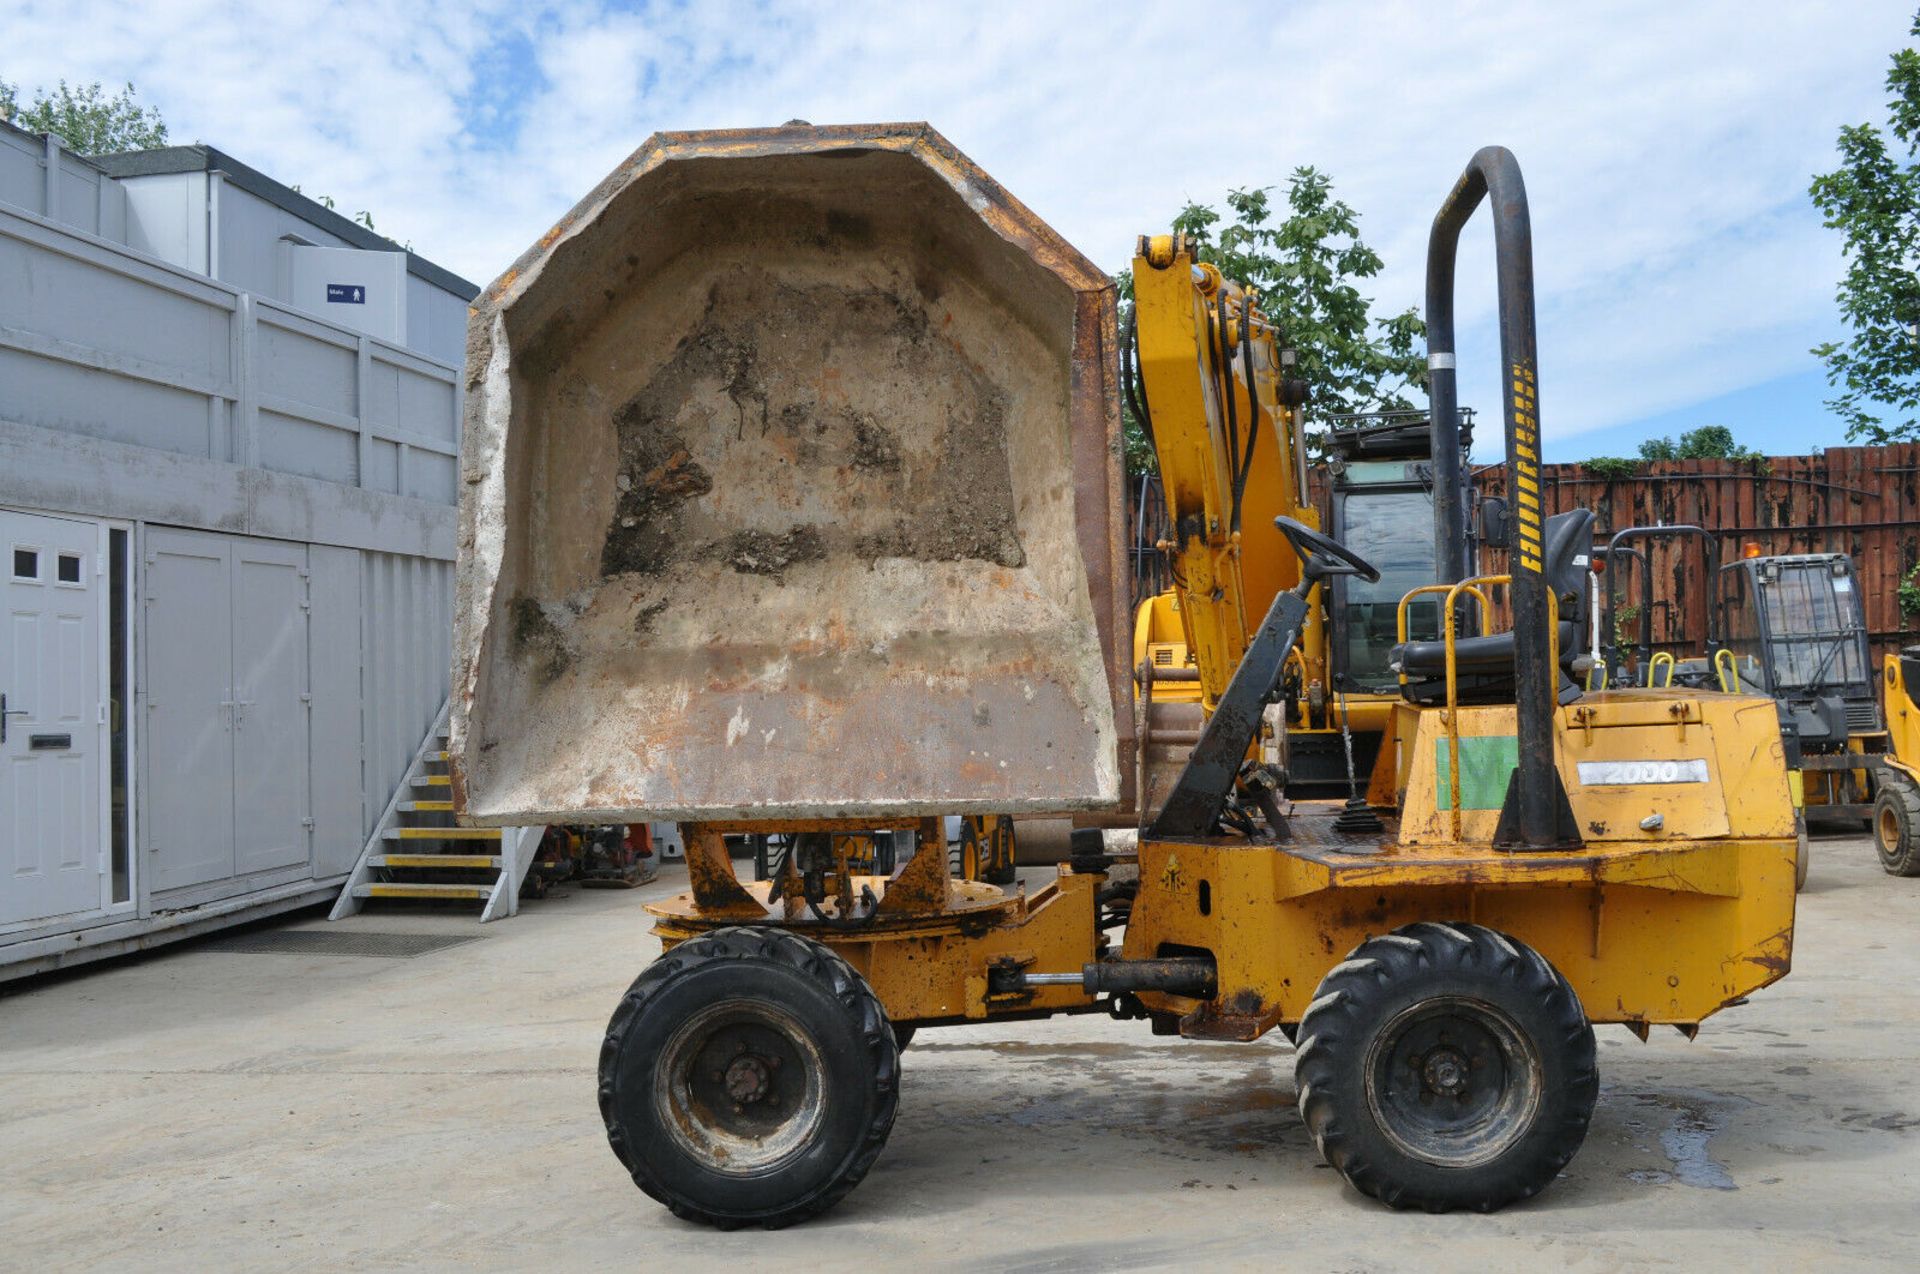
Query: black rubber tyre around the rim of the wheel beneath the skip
x=828, y=999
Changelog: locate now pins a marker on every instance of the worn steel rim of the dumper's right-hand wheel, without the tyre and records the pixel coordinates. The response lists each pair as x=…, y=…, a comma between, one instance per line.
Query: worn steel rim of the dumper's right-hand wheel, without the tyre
x=1454, y=1081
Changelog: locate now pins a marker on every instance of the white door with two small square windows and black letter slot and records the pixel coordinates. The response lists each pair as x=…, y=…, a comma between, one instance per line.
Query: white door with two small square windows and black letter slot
x=53, y=674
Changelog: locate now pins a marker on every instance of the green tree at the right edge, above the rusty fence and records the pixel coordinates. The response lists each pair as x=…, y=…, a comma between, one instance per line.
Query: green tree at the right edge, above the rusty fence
x=1873, y=199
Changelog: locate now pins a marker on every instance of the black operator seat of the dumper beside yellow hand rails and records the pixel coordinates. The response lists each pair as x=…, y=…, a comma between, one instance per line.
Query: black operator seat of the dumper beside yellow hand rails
x=1485, y=665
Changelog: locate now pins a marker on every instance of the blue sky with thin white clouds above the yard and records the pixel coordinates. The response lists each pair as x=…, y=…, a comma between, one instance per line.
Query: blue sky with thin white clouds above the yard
x=1668, y=147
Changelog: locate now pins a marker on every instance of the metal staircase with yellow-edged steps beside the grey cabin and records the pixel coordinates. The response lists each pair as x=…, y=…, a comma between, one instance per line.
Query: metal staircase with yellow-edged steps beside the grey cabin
x=418, y=853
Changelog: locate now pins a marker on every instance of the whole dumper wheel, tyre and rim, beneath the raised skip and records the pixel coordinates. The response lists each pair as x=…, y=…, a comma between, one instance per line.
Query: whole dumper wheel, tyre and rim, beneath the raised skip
x=750, y=1077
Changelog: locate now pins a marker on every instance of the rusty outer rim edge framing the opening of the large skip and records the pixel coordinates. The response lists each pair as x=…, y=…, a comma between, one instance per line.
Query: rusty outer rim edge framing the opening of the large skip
x=1095, y=431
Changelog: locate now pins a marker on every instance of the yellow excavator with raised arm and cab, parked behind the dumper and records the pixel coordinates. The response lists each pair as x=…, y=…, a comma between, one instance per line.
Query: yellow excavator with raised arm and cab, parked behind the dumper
x=1232, y=458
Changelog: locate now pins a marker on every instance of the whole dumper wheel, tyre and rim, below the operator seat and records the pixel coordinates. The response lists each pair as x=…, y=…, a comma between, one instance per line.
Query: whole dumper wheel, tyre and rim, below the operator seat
x=1447, y=1068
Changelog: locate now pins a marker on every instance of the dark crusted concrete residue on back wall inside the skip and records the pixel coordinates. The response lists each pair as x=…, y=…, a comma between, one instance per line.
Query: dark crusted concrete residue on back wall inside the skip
x=844, y=394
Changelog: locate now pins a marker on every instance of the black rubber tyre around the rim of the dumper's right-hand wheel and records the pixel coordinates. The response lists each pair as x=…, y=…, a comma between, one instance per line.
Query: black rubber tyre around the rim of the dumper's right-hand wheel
x=1391, y=974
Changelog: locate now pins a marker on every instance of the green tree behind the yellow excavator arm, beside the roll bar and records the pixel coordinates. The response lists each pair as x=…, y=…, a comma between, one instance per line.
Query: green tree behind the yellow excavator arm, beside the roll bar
x=1305, y=268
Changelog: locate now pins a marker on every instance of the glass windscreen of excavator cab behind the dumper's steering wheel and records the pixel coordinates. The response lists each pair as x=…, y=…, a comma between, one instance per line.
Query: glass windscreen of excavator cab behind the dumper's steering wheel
x=1393, y=531
